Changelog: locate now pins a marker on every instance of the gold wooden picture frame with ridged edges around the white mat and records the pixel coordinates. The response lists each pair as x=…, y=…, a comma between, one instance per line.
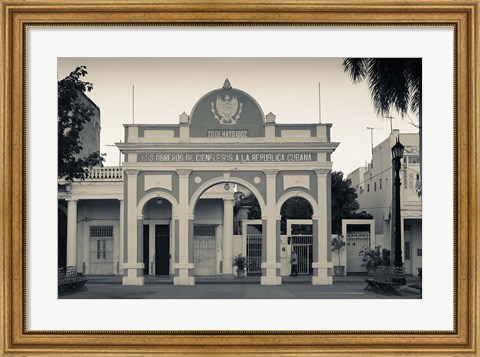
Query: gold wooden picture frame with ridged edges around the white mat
x=18, y=15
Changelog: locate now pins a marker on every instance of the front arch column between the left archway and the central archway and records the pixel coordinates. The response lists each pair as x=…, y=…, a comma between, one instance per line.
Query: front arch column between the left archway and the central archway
x=184, y=268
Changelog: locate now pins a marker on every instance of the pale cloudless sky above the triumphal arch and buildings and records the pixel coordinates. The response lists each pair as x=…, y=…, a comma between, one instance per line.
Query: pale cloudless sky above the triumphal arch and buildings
x=296, y=90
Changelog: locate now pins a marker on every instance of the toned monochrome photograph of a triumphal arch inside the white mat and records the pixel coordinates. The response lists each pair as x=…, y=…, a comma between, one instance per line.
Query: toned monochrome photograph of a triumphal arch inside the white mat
x=239, y=178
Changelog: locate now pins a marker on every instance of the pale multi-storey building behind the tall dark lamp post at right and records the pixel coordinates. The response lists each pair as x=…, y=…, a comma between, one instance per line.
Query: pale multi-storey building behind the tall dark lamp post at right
x=374, y=185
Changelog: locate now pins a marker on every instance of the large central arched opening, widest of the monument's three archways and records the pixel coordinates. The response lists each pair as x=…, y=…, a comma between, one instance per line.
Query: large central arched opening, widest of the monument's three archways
x=217, y=227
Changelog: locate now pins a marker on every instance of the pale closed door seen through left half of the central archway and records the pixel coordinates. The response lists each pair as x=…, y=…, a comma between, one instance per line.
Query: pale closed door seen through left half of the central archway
x=204, y=252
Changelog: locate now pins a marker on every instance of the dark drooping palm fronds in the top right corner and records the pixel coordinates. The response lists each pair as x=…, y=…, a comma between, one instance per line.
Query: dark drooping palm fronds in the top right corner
x=394, y=83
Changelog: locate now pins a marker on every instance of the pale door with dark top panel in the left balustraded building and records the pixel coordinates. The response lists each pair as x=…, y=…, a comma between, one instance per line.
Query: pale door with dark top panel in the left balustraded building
x=101, y=250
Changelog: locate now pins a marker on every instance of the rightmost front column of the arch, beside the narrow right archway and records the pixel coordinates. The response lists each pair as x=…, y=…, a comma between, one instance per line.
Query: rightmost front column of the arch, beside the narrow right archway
x=323, y=262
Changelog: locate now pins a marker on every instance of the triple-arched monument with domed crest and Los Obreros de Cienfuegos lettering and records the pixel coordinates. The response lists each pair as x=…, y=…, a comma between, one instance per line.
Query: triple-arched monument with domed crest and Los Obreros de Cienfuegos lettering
x=226, y=139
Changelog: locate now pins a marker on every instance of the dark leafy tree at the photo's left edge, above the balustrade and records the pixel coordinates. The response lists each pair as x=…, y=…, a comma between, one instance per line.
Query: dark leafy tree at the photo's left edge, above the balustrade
x=72, y=115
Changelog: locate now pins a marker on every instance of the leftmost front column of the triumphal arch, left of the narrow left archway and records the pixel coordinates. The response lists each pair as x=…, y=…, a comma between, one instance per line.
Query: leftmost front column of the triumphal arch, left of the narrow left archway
x=133, y=267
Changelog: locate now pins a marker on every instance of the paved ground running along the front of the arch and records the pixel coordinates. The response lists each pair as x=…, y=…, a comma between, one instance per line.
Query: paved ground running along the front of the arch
x=248, y=288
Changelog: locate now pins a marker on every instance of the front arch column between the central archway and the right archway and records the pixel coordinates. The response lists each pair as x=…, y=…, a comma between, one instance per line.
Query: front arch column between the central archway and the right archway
x=271, y=266
